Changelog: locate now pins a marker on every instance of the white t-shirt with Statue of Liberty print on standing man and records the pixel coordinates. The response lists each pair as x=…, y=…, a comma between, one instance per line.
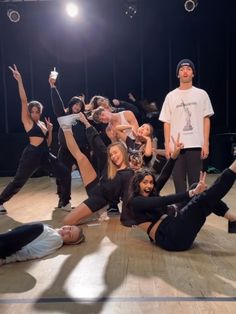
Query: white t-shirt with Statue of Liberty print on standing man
x=185, y=110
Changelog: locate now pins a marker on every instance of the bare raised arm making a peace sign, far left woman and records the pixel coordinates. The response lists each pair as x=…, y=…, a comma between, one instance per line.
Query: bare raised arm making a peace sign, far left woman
x=25, y=116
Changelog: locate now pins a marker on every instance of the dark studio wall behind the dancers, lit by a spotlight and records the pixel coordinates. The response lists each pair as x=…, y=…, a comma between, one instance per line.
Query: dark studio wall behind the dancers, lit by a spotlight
x=105, y=52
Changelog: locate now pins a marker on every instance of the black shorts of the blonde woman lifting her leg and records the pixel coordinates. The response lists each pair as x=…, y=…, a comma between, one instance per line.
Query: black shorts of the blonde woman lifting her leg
x=95, y=200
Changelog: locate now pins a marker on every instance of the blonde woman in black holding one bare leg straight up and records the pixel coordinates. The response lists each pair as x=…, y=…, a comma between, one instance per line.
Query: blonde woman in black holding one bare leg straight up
x=110, y=183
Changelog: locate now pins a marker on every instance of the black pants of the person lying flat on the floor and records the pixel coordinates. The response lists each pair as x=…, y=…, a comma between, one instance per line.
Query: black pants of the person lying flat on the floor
x=14, y=240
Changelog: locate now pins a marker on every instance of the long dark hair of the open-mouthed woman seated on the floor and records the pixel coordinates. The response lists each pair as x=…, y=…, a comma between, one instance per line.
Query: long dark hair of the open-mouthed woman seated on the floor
x=134, y=188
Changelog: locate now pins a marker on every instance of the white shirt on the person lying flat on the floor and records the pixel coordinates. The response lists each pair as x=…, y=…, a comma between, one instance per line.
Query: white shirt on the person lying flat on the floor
x=46, y=243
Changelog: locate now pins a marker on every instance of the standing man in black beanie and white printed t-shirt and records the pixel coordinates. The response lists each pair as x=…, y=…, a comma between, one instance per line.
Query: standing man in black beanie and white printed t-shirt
x=186, y=111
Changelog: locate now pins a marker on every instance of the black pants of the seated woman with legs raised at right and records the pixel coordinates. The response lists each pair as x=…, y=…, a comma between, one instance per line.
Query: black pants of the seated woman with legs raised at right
x=178, y=233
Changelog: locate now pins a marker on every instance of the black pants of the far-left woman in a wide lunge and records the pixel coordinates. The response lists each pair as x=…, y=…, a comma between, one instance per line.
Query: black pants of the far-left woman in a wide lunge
x=33, y=158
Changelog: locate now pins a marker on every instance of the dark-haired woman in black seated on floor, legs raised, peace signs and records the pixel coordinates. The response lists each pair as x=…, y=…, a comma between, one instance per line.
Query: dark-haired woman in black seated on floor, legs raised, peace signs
x=177, y=232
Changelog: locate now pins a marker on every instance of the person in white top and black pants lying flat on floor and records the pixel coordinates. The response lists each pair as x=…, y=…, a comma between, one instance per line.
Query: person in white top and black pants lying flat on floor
x=36, y=240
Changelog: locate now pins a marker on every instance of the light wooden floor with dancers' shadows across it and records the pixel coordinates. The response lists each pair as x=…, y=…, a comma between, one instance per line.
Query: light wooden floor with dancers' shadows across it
x=116, y=270
